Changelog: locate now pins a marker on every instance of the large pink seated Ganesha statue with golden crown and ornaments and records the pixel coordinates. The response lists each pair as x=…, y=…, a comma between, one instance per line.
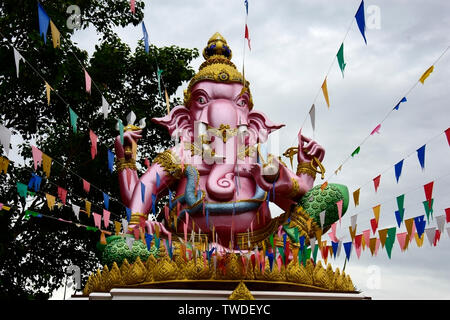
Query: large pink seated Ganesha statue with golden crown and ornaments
x=218, y=177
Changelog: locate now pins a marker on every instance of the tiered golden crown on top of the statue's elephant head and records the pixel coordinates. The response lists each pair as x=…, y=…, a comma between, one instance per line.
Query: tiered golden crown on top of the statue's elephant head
x=217, y=67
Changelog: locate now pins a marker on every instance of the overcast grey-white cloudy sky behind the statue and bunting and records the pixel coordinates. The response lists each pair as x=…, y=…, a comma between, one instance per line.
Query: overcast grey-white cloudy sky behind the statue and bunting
x=293, y=45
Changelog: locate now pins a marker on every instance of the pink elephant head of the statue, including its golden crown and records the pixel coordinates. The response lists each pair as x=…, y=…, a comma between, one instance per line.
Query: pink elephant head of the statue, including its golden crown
x=217, y=117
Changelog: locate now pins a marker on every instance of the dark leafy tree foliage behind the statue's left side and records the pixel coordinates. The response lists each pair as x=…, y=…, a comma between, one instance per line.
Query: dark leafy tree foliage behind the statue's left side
x=34, y=252
